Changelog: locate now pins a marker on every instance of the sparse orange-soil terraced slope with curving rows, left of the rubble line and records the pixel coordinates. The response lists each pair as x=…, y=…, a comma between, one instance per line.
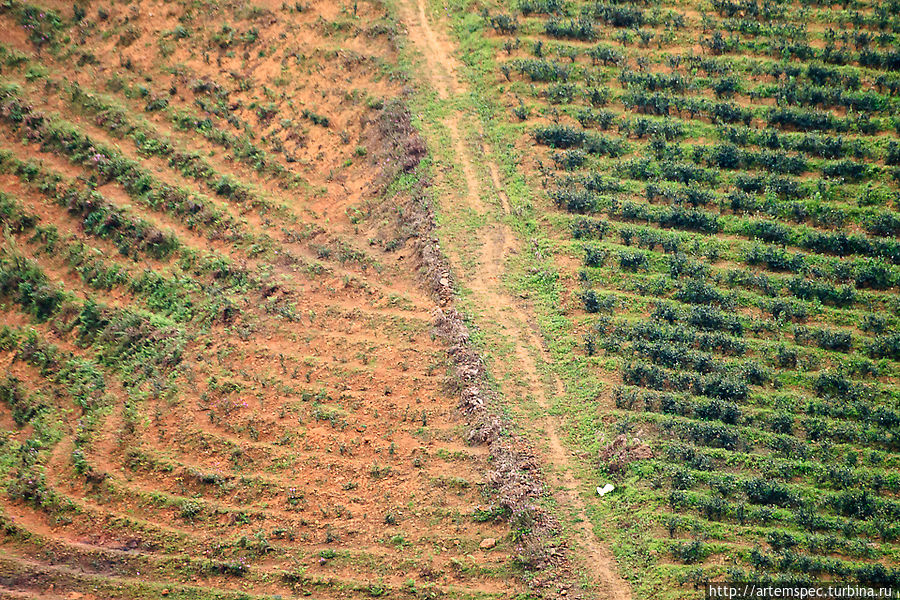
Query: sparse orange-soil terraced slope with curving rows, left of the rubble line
x=220, y=378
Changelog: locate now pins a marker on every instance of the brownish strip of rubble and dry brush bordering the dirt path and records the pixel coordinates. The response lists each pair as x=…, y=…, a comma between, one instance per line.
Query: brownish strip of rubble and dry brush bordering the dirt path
x=515, y=477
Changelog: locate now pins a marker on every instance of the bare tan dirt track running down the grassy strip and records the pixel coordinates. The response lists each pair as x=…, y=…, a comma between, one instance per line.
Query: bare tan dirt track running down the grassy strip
x=497, y=241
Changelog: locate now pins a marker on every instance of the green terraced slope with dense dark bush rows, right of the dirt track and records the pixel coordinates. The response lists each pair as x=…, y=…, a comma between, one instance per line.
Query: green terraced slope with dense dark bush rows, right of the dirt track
x=708, y=195
